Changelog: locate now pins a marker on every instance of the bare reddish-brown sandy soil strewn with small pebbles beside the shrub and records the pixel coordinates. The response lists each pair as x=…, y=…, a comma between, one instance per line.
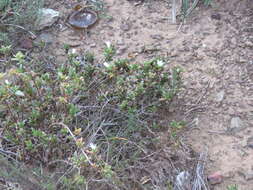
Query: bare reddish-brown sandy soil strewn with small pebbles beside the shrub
x=215, y=49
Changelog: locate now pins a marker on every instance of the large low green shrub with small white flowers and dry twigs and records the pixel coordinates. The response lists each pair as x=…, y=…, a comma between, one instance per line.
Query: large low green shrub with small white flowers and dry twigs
x=83, y=116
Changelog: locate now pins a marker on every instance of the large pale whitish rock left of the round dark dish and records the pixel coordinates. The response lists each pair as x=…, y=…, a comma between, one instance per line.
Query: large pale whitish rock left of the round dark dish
x=47, y=18
